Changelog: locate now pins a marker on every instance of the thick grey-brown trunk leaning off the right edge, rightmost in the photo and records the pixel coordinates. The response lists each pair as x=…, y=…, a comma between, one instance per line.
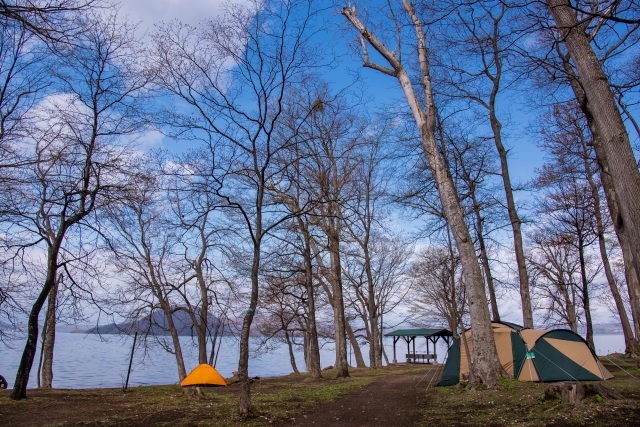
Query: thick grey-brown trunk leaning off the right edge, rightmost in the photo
x=607, y=121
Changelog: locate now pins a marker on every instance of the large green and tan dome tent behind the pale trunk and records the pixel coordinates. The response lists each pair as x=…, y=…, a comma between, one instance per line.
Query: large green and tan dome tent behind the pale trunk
x=529, y=355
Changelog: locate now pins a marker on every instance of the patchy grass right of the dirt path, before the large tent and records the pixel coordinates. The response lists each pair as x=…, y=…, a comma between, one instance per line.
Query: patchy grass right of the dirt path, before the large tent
x=523, y=404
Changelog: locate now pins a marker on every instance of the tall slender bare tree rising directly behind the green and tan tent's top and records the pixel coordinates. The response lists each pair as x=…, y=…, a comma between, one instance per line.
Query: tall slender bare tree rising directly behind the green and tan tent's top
x=476, y=49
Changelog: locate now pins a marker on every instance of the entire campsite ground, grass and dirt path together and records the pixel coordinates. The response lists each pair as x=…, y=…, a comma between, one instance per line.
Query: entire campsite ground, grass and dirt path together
x=399, y=395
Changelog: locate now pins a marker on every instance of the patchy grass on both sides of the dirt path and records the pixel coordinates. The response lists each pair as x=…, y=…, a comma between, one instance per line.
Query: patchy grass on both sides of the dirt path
x=276, y=399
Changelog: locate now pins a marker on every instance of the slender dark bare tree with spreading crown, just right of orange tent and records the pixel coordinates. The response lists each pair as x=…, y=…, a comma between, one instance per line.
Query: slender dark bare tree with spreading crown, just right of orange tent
x=235, y=71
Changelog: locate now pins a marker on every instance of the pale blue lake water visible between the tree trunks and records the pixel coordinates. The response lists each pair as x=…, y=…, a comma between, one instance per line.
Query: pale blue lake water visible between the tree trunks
x=87, y=361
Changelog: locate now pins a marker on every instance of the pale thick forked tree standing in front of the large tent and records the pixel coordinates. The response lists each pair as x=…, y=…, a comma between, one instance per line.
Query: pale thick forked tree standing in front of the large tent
x=423, y=108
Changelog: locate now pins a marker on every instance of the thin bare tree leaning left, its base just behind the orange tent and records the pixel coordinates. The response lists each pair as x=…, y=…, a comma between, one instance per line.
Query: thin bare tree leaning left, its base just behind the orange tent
x=141, y=240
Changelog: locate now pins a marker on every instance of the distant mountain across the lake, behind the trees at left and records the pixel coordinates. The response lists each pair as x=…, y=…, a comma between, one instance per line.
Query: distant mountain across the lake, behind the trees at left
x=155, y=324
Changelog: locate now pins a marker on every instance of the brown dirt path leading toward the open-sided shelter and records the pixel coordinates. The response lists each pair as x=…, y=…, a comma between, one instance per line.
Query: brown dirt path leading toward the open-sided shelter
x=391, y=401
